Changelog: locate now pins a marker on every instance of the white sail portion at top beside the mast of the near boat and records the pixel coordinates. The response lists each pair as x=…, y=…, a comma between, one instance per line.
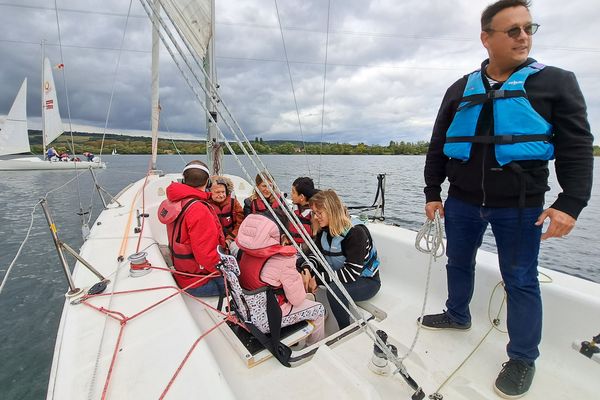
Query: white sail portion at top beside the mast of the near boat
x=193, y=19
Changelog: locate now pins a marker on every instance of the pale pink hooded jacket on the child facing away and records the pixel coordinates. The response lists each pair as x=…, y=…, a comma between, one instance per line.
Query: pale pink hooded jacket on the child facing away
x=258, y=232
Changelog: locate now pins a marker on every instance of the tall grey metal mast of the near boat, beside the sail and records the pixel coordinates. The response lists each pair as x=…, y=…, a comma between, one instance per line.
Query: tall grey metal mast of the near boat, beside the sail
x=214, y=150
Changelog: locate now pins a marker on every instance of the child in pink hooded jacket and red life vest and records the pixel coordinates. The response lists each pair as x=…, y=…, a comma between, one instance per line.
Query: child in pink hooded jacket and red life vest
x=267, y=261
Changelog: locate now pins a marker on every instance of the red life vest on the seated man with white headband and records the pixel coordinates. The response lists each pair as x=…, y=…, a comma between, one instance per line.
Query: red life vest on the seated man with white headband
x=172, y=213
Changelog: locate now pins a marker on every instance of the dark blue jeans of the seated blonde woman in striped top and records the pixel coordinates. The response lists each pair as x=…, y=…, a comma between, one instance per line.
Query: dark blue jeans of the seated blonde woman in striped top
x=360, y=290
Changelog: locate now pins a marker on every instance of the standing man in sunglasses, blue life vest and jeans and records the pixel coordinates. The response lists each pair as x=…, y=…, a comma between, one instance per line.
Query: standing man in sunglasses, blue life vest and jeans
x=494, y=134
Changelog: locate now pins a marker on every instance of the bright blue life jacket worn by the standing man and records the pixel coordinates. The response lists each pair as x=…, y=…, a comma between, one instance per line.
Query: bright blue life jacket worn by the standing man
x=520, y=133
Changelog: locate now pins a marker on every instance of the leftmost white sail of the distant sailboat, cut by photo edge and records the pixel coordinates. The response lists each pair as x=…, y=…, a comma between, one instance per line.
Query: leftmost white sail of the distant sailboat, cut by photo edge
x=13, y=136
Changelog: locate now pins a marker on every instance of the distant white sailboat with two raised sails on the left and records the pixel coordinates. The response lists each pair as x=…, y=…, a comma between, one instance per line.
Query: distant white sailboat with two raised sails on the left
x=14, y=138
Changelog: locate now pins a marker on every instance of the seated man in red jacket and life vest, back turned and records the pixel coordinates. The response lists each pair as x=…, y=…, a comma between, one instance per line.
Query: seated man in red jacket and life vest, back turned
x=194, y=231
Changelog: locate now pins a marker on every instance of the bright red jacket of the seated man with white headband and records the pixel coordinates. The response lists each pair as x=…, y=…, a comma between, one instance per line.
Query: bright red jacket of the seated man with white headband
x=200, y=229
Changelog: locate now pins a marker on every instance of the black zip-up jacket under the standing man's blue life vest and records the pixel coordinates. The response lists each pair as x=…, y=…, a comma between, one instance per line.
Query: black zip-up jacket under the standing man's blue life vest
x=554, y=93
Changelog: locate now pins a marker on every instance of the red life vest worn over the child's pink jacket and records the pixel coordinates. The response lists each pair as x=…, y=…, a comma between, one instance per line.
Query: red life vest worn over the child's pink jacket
x=251, y=266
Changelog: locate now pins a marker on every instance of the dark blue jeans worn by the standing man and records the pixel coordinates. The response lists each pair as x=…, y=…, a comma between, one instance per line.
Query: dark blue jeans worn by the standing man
x=518, y=244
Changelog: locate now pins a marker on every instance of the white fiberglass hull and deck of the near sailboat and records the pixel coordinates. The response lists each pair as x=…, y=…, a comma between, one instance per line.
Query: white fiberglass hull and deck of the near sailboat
x=152, y=345
